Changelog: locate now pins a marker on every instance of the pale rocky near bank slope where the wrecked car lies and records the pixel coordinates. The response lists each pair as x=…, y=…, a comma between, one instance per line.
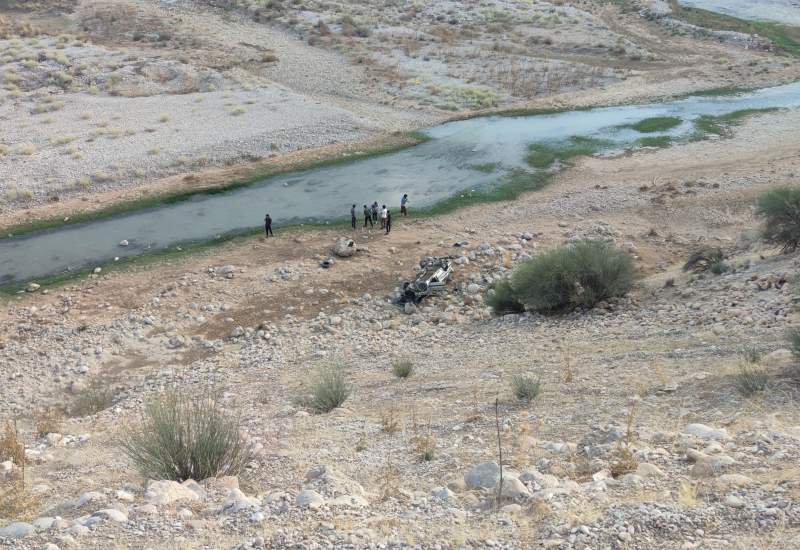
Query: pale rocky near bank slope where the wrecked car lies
x=715, y=469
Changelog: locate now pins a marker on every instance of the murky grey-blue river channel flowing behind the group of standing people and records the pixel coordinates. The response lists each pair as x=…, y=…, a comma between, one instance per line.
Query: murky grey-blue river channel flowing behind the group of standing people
x=429, y=173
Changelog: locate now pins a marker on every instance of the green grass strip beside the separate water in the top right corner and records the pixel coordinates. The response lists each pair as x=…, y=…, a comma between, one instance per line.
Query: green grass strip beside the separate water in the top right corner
x=786, y=38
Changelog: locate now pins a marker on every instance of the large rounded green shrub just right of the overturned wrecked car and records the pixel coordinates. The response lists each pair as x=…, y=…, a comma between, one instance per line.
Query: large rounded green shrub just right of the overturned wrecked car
x=579, y=275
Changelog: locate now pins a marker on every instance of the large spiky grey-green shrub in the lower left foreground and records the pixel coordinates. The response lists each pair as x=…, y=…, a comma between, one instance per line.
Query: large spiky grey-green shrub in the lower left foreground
x=184, y=437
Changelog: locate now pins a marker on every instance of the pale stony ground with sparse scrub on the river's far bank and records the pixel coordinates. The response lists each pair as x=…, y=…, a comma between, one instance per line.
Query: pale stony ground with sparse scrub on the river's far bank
x=103, y=97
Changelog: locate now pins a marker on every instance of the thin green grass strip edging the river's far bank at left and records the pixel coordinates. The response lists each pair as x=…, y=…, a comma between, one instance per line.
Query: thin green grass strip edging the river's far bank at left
x=157, y=200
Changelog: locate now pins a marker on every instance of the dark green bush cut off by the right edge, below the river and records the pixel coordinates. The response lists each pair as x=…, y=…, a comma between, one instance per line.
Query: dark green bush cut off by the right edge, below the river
x=780, y=209
